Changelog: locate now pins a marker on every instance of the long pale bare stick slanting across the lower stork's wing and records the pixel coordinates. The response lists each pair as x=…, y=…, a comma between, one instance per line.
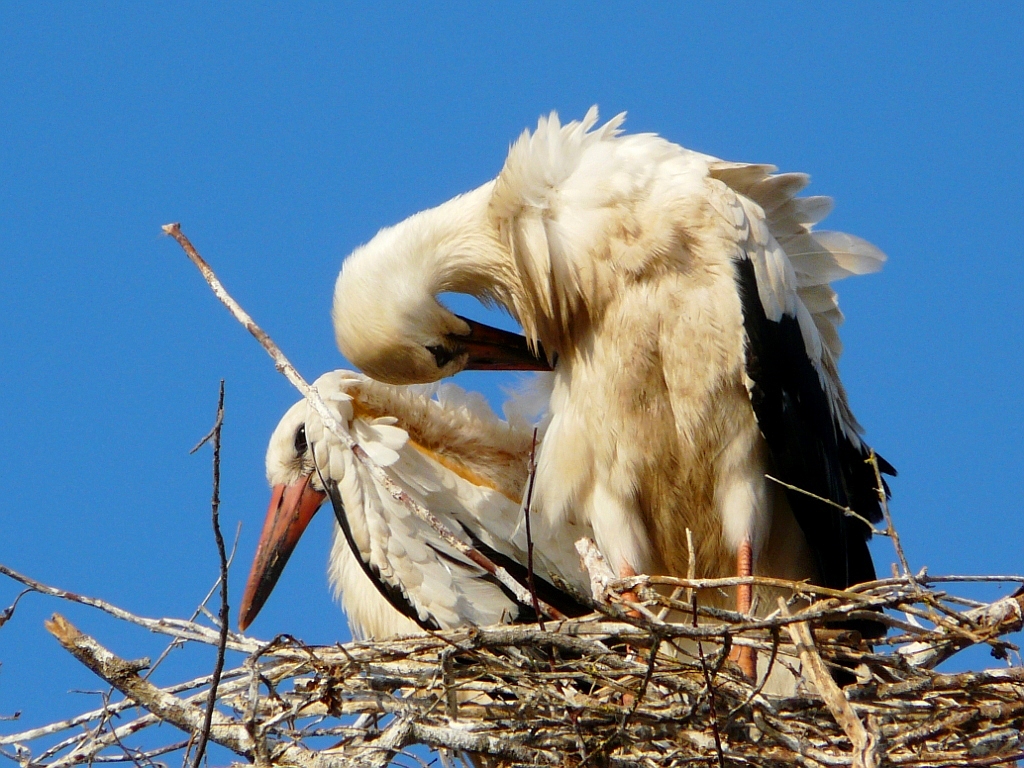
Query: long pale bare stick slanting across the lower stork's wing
x=397, y=492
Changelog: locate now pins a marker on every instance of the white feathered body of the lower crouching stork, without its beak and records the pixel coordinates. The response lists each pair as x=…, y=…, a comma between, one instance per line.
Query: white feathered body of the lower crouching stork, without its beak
x=443, y=453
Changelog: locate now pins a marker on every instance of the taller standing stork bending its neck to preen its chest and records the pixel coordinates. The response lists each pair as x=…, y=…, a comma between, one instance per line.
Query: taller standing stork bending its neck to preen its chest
x=686, y=307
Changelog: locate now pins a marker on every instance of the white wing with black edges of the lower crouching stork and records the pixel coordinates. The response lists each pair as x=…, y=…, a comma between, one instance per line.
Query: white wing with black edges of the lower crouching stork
x=422, y=576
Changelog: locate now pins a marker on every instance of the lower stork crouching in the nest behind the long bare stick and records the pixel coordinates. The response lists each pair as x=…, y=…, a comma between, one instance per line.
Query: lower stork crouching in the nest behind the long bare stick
x=393, y=573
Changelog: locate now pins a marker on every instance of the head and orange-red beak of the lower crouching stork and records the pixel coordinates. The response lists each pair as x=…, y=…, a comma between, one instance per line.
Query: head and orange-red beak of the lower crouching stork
x=296, y=497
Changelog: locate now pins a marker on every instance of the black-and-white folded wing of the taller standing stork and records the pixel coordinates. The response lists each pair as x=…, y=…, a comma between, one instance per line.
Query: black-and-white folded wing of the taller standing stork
x=791, y=319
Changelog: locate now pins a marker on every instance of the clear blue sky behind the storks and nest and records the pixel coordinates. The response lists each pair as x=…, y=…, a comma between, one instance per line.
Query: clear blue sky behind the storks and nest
x=282, y=137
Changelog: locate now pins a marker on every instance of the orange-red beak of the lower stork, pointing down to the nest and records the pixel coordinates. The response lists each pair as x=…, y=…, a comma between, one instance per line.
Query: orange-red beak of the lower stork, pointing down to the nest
x=292, y=507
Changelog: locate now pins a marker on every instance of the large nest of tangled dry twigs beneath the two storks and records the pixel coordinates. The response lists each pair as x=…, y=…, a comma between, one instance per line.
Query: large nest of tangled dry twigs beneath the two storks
x=624, y=687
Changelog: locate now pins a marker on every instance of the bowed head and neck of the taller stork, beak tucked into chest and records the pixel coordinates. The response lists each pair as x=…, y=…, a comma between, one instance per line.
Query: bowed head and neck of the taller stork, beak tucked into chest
x=388, y=319
